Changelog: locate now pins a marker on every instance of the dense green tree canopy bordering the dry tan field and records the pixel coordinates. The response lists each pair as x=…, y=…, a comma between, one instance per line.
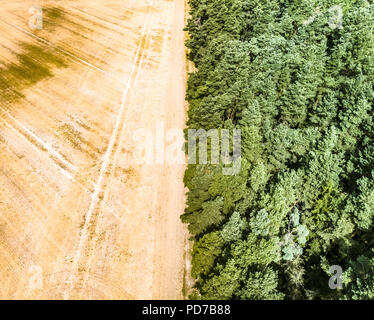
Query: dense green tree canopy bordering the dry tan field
x=296, y=77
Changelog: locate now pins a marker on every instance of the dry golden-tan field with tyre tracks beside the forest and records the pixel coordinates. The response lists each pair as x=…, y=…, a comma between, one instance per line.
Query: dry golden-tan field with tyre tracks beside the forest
x=77, y=220
